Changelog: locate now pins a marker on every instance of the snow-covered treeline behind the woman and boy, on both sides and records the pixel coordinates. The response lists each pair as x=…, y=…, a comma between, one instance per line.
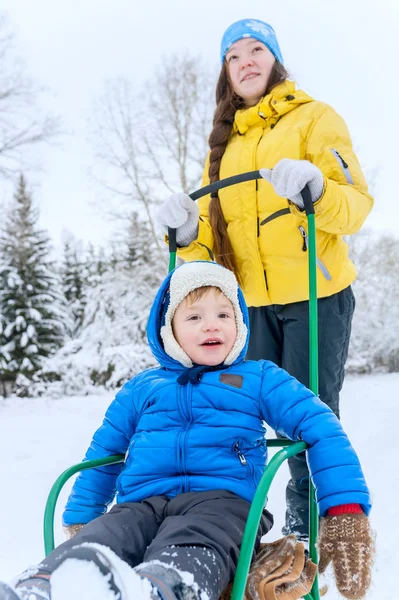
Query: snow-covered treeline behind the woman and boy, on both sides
x=74, y=323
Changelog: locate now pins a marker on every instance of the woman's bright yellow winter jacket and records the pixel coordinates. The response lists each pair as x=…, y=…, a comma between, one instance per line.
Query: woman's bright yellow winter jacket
x=267, y=232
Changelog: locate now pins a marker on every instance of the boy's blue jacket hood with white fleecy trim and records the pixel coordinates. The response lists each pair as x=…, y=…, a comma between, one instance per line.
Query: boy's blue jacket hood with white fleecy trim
x=160, y=317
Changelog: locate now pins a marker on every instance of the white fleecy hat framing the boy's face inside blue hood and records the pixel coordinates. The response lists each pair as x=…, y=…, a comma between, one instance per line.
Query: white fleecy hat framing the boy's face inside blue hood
x=189, y=277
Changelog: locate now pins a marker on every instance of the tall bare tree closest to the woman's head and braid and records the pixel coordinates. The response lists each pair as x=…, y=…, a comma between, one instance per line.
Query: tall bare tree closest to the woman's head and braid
x=179, y=118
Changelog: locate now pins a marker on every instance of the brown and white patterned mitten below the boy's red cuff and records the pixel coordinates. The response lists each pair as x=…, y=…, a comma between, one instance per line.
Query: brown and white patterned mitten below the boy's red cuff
x=347, y=542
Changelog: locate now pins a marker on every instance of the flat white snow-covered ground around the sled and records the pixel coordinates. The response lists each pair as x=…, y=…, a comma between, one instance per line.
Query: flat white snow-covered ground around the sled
x=40, y=437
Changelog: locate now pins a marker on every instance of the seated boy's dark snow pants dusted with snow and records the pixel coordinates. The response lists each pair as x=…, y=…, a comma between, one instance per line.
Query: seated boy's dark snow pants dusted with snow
x=200, y=532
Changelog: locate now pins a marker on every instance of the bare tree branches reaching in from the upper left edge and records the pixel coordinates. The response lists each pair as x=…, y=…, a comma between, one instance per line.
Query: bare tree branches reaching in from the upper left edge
x=22, y=122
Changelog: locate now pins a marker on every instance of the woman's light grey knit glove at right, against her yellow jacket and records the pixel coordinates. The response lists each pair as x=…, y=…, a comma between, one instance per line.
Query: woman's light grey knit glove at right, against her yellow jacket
x=289, y=177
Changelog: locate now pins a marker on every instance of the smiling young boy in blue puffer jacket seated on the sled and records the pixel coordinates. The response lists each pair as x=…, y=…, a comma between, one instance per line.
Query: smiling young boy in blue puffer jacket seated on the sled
x=192, y=430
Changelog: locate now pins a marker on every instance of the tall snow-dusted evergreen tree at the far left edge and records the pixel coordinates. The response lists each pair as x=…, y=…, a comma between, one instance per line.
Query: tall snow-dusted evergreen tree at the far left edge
x=32, y=317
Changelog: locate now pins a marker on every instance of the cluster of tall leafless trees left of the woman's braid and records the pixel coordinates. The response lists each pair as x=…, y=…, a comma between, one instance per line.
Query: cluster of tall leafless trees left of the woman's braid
x=153, y=142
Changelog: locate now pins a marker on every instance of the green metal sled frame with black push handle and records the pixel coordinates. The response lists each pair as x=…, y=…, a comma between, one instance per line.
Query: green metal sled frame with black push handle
x=288, y=448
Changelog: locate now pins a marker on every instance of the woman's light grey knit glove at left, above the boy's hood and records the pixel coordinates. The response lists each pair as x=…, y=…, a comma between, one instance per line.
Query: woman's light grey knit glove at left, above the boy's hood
x=181, y=213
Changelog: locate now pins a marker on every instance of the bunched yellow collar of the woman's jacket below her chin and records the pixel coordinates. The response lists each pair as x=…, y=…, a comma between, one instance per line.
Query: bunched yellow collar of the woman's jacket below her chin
x=281, y=100
